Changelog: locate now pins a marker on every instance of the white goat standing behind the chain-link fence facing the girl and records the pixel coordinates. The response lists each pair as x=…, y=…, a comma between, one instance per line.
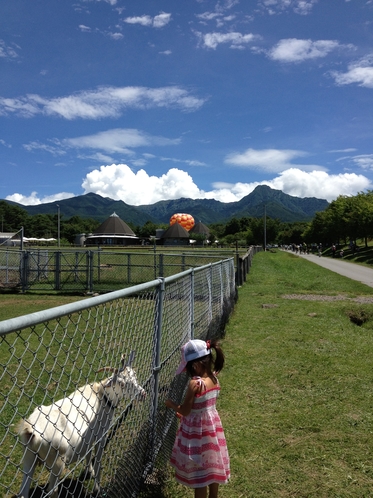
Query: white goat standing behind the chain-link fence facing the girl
x=65, y=431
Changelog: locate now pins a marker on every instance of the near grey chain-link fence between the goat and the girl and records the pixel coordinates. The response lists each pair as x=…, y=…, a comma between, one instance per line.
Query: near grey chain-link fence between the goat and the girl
x=48, y=354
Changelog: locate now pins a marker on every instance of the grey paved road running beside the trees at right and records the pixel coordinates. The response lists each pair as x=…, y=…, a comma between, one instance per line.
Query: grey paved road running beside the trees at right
x=350, y=270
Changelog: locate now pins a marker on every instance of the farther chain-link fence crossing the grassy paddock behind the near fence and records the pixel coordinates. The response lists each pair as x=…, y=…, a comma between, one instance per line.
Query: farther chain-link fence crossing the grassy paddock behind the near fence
x=94, y=270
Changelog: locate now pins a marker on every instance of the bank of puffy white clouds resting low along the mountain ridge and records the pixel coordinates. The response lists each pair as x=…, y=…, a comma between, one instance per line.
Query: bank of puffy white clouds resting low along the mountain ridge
x=120, y=182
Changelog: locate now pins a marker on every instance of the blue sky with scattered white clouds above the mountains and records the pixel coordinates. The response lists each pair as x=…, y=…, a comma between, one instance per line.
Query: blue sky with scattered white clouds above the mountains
x=144, y=100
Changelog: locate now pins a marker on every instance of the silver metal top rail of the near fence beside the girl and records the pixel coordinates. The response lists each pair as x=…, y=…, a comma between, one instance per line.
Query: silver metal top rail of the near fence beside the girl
x=21, y=322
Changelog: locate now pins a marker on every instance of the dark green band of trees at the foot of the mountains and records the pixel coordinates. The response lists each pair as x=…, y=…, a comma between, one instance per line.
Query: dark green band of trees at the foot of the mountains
x=345, y=219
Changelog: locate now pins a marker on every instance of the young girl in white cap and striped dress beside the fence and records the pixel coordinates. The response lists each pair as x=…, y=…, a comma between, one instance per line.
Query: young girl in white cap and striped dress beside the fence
x=200, y=456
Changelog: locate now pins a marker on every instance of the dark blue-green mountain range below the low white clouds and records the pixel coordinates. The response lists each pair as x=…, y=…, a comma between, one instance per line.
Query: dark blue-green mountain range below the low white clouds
x=263, y=199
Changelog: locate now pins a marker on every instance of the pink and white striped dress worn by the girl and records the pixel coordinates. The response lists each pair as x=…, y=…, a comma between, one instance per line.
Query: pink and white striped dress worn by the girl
x=200, y=455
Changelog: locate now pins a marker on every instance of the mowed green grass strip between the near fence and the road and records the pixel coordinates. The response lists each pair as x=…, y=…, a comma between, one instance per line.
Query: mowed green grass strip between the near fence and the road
x=296, y=400
